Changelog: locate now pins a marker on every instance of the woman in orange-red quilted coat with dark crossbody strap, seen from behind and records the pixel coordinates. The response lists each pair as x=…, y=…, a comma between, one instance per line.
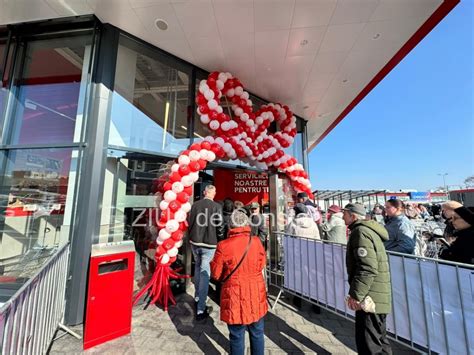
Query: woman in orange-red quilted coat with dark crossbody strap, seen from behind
x=238, y=264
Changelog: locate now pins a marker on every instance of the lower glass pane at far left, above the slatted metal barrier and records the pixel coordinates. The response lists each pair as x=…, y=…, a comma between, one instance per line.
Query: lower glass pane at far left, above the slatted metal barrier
x=36, y=197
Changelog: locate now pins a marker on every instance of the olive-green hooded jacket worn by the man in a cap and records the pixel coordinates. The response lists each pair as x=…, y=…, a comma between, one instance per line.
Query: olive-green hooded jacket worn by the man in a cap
x=367, y=264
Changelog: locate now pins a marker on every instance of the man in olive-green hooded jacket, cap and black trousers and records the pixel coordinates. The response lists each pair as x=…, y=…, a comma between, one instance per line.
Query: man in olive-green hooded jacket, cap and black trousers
x=369, y=279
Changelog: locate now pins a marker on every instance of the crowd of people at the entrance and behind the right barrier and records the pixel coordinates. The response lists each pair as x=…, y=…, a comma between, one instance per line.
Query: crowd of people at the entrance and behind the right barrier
x=233, y=252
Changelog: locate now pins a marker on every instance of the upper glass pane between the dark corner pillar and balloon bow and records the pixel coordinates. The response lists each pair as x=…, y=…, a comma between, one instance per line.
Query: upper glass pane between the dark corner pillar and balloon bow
x=150, y=101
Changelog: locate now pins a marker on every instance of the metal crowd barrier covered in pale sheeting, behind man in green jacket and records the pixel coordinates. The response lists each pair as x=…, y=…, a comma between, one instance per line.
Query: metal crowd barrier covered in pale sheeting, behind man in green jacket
x=433, y=300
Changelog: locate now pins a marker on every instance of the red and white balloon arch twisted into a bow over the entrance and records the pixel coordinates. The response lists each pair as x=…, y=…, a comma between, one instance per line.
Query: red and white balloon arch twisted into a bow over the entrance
x=242, y=136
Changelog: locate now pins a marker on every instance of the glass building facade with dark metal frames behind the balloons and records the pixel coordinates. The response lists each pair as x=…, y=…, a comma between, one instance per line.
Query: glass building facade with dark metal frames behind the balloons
x=90, y=115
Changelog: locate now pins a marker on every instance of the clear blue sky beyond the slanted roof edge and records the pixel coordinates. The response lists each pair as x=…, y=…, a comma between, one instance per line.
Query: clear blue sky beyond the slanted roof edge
x=418, y=122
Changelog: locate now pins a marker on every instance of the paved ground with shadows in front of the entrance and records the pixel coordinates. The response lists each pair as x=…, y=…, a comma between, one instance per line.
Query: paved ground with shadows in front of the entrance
x=287, y=332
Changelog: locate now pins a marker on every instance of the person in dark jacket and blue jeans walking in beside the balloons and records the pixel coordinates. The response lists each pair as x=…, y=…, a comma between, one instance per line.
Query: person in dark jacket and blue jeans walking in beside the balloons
x=205, y=230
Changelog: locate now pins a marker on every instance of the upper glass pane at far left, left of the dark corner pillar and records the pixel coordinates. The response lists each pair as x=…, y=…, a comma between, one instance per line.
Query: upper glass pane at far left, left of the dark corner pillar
x=49, y=91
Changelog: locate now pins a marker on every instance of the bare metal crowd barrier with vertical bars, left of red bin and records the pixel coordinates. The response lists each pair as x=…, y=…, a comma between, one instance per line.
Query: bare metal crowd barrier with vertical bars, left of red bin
x=30, y=318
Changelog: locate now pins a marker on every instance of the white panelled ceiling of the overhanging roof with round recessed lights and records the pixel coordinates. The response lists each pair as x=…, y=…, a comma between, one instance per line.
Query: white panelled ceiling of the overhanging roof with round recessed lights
x=259, y=41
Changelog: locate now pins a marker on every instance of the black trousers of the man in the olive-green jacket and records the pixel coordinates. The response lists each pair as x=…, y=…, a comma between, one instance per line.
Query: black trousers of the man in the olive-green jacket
x=371, y=334
